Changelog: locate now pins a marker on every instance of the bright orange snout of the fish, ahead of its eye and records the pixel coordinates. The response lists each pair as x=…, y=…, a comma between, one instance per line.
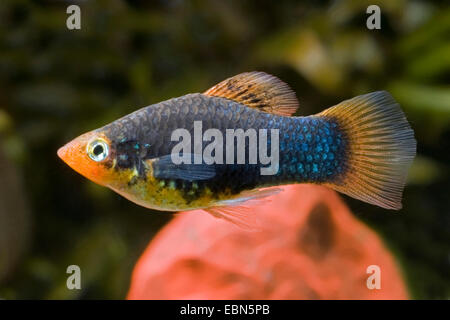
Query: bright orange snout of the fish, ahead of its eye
x=75, y=155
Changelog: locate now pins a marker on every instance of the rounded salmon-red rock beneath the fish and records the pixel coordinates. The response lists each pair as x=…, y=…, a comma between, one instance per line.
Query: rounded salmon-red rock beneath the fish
x=311, y=247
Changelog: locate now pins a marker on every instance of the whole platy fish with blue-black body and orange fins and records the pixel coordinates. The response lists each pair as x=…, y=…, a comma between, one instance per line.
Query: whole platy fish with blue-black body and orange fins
x=362, y=147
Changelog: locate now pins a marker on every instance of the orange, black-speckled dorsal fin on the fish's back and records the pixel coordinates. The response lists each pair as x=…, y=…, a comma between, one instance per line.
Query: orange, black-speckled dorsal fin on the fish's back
x=258, y=90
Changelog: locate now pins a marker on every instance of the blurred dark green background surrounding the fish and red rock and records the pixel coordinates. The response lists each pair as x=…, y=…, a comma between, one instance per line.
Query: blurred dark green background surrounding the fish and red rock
x=56, y=84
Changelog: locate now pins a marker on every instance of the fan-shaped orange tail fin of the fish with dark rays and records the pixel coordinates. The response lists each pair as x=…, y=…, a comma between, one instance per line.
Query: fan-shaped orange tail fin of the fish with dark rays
x=381, y=148
